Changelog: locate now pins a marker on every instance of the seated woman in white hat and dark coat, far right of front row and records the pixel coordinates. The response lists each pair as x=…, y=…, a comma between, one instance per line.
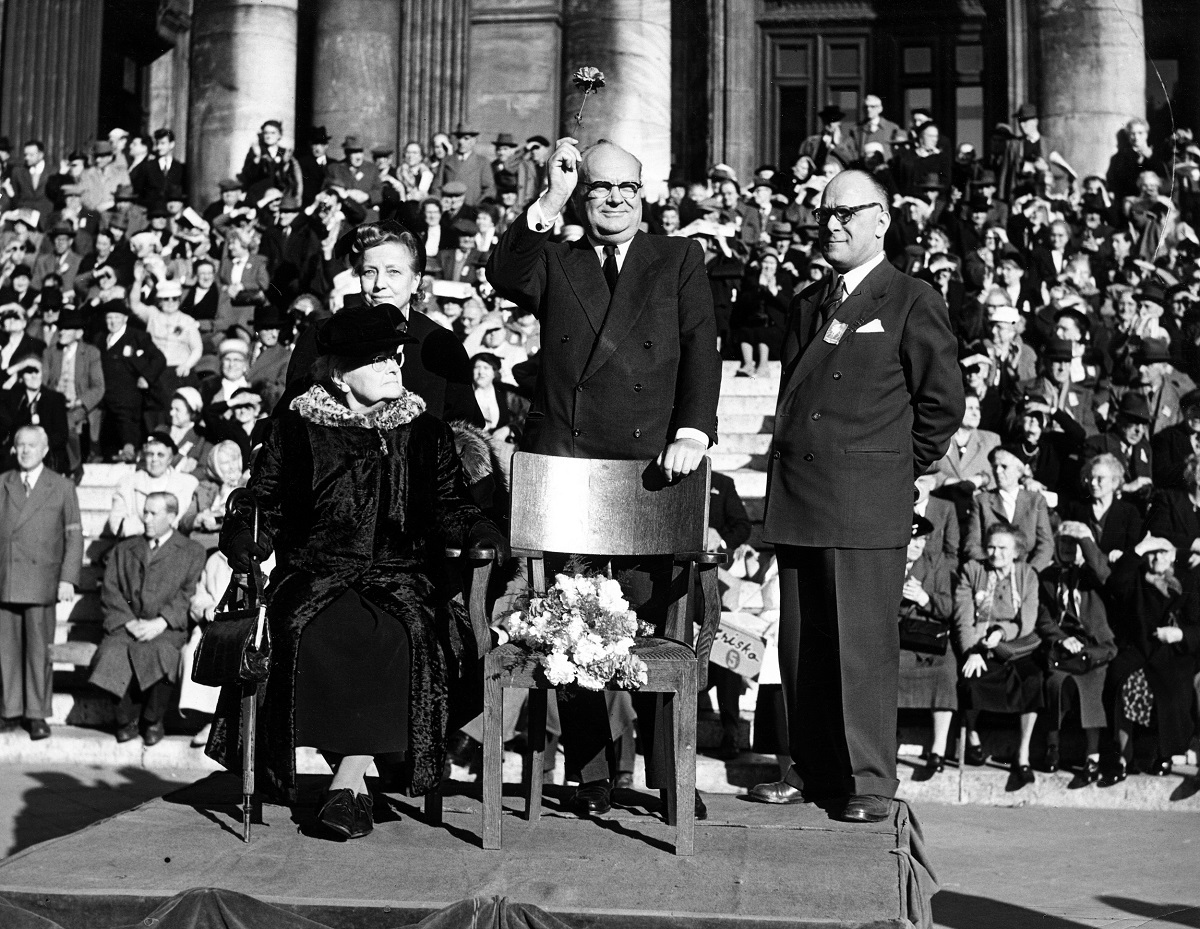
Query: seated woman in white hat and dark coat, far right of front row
x=1156, y=620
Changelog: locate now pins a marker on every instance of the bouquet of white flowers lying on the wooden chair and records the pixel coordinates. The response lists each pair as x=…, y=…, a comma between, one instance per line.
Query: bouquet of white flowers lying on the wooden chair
x=581, y=633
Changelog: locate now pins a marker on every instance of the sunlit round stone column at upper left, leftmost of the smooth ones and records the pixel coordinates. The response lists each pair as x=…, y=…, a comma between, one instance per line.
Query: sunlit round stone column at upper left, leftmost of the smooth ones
x=244, y=73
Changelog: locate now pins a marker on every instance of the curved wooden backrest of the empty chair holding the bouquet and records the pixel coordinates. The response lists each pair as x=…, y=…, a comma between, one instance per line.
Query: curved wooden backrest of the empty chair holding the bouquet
x=607, y=507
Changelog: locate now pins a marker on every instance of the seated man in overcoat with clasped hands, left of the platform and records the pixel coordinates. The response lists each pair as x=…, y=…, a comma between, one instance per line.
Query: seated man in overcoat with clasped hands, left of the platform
x=149, y=583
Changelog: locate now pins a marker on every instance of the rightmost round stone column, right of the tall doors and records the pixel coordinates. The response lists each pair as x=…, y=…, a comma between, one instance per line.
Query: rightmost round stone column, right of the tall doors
x=1094, y=76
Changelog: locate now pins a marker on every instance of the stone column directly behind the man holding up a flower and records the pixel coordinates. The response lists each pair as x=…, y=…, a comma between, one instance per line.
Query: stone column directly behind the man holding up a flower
x=631, y=43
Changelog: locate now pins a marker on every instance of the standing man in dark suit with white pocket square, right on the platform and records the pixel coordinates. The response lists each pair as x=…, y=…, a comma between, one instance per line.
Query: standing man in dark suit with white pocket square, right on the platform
x=869, y=399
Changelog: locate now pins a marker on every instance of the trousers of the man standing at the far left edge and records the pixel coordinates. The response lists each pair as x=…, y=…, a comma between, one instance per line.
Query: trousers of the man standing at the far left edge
x=27, y=675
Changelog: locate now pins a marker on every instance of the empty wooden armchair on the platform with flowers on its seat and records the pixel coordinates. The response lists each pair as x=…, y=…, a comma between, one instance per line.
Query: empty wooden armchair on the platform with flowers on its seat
x=610, y=508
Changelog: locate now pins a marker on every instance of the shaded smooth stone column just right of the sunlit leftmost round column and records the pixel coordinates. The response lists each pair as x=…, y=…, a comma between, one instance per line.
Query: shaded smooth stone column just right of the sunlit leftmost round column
x=357, y=69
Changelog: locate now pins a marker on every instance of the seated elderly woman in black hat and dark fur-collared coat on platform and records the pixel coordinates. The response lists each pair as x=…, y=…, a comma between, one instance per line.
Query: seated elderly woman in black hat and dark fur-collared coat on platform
x=358, y=492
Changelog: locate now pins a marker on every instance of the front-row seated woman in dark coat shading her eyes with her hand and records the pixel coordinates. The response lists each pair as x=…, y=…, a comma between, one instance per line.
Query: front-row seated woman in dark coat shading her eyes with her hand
x=1073, y=622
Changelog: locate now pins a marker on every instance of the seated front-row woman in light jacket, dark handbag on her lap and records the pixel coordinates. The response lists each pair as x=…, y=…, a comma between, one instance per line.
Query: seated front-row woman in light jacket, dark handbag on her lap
x=995, y=612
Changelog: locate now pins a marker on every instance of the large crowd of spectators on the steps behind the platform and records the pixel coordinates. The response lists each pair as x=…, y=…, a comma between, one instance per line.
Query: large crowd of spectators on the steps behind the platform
x=140, y=329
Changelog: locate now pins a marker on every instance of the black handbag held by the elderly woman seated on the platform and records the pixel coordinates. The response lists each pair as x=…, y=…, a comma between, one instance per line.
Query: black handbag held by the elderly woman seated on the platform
x=236, y=648
